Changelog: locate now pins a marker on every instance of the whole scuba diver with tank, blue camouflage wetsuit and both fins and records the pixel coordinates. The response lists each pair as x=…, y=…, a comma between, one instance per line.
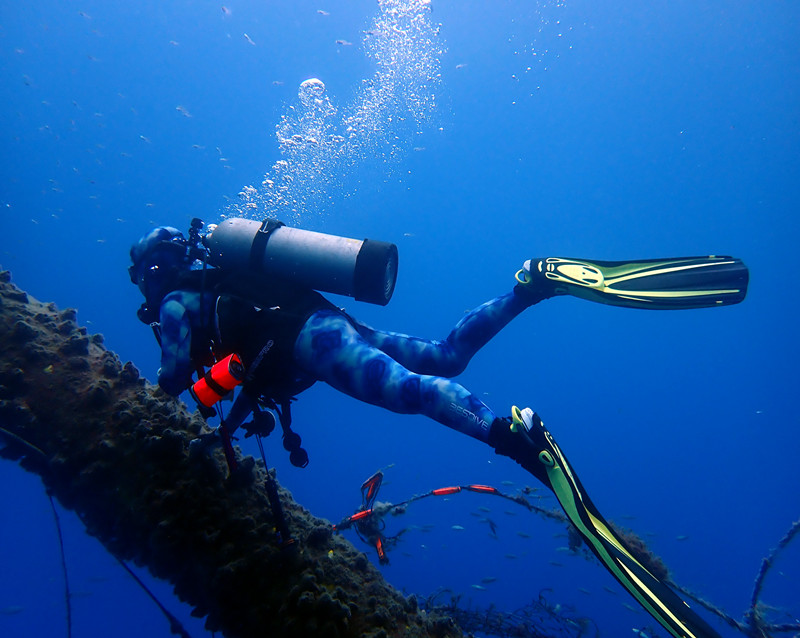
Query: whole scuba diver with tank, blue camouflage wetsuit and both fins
x=242, y=297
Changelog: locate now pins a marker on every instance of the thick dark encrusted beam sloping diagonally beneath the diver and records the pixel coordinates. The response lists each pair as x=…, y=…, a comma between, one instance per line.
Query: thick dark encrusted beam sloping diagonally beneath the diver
x=115, y=449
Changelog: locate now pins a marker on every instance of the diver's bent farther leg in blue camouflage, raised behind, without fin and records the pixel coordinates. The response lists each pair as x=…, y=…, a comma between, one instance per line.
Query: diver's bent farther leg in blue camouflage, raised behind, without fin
x=449, y=357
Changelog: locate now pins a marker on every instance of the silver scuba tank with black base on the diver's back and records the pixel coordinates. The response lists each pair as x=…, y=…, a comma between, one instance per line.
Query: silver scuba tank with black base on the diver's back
x=365, y=270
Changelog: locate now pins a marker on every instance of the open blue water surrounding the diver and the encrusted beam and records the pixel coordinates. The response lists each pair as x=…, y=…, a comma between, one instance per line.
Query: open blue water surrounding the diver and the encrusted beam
x=606, y=130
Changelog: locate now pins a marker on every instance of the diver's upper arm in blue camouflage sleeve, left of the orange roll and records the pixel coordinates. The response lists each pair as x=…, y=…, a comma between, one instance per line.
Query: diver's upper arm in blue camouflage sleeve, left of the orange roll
x=175, y=374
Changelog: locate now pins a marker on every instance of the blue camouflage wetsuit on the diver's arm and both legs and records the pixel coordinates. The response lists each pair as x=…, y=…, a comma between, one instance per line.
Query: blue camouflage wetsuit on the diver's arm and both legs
x=400, y=373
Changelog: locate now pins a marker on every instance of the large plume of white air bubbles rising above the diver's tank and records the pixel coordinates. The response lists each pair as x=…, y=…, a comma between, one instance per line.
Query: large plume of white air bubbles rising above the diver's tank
x=319, y=144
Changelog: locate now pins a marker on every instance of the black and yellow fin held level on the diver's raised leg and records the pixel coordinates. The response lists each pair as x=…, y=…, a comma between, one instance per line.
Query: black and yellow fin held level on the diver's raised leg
x=656, y=284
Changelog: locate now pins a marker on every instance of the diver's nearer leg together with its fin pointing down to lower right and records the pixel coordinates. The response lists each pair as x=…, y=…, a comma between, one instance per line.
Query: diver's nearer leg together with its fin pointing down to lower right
x=331, y=349
